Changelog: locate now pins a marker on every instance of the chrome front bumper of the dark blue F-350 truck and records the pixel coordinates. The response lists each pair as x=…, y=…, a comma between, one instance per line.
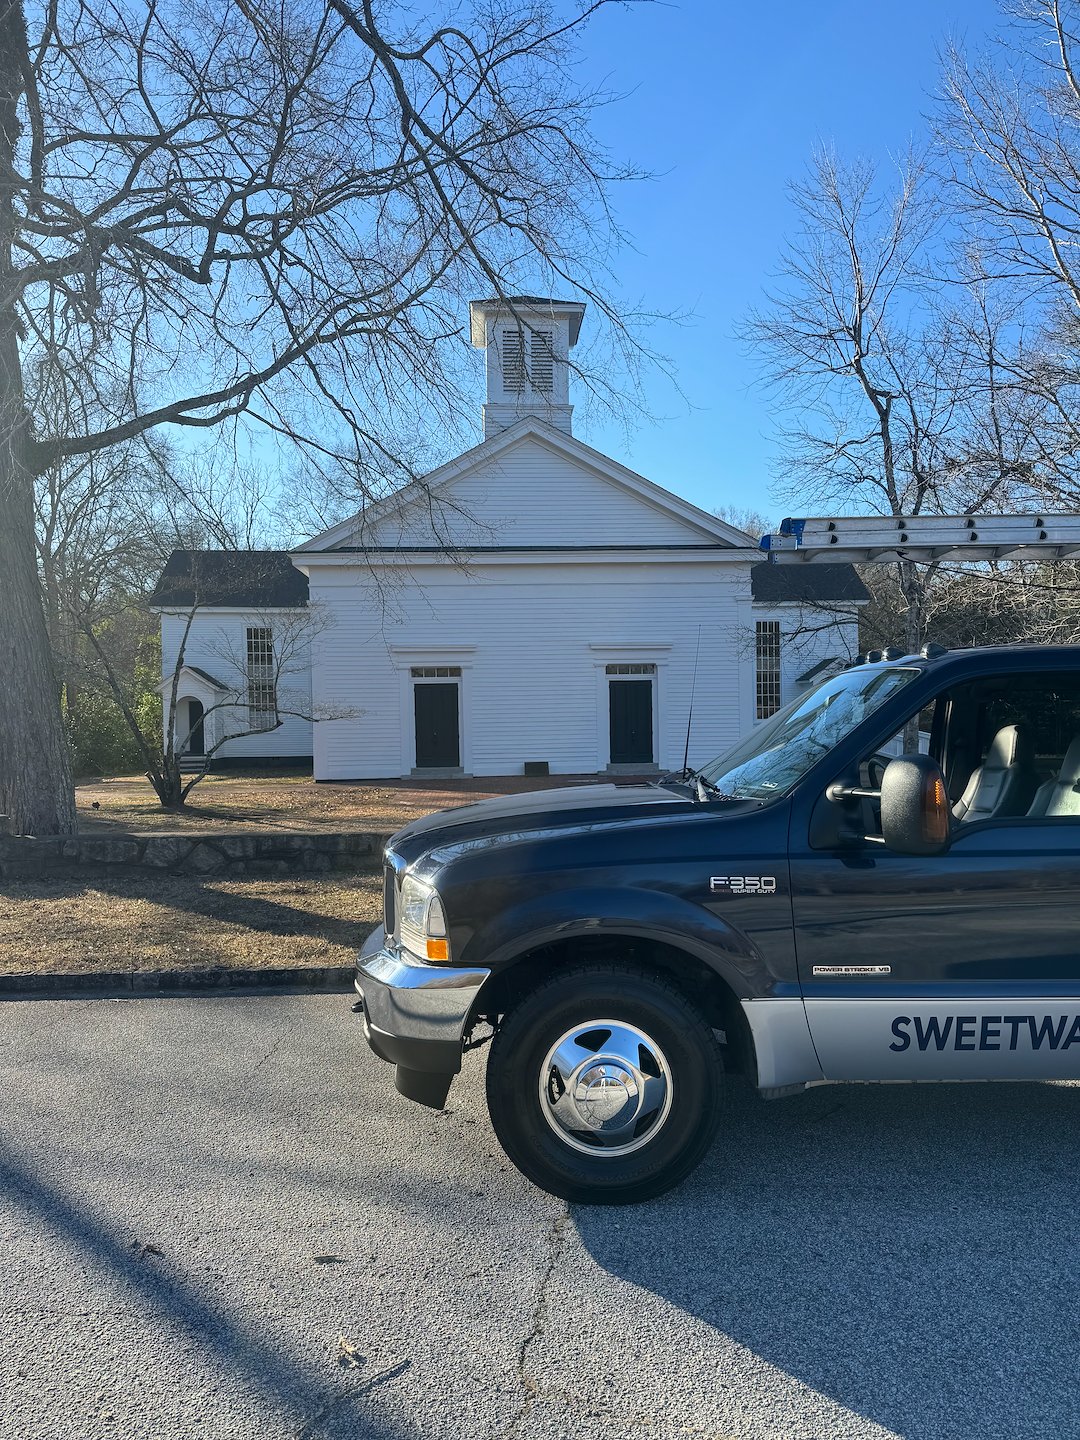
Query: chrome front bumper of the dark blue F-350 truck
x=415, y=1014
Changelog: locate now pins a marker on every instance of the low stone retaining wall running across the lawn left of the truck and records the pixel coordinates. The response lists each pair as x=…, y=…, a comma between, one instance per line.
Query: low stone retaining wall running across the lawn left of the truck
x=194, y=853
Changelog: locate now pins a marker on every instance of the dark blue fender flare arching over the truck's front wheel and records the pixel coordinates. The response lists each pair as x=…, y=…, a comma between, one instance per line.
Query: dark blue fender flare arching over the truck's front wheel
x=653, y=915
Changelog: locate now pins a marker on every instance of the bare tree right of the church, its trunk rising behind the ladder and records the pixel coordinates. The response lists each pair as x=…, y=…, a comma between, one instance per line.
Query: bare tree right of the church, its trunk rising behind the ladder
x=830, y=346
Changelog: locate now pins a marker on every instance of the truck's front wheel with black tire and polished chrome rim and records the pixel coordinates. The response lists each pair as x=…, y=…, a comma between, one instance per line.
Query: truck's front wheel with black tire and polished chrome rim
x=604, y=1085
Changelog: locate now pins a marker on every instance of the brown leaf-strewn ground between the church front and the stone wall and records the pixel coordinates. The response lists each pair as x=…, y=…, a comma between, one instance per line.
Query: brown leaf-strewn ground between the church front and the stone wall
x=284, y=801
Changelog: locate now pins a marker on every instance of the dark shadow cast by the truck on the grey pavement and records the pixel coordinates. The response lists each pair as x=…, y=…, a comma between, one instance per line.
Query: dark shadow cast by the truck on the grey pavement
x=909, y=1254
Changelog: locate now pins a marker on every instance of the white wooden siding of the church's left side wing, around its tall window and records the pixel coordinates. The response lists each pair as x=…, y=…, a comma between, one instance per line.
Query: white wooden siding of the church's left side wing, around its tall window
x=217, y=644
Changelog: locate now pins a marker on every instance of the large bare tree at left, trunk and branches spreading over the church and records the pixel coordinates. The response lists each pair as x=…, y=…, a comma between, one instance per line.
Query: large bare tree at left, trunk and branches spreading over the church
x=263, y=214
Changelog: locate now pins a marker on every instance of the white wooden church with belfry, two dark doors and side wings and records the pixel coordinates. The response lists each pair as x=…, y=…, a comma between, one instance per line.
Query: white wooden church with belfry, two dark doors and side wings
x=531, y=607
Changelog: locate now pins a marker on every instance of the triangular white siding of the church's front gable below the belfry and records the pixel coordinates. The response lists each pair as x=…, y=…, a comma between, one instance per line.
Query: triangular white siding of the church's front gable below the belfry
x=532, y=496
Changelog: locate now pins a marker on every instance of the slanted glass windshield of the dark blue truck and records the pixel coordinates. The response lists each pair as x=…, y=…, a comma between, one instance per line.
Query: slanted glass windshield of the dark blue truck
x=778, y=754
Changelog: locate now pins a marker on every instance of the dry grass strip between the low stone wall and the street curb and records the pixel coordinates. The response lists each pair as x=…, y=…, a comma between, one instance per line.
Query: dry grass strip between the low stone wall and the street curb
x=149, y=922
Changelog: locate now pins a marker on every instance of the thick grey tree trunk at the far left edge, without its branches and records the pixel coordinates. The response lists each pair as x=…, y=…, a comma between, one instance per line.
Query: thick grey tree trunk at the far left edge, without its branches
x=35, y=770
